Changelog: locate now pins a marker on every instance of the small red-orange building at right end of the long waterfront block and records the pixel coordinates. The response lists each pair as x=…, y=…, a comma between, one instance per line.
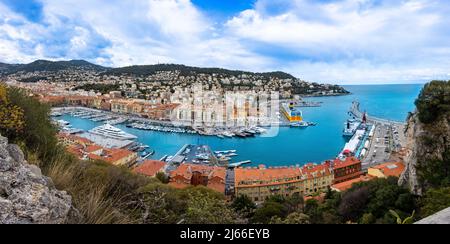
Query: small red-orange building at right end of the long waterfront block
x=346, y=169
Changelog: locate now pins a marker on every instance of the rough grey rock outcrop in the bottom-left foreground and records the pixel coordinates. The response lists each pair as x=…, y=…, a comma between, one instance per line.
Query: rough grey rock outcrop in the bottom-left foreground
x=27, y=196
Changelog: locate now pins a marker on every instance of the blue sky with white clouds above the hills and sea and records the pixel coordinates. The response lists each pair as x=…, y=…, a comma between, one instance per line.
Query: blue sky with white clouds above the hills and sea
x=329, y=41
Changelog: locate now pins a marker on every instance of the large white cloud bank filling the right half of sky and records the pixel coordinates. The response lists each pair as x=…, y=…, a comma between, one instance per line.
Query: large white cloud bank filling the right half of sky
x=353, y=41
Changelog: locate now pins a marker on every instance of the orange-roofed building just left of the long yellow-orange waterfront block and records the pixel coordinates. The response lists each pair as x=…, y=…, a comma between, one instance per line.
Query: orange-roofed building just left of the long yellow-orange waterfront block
x=194, y=175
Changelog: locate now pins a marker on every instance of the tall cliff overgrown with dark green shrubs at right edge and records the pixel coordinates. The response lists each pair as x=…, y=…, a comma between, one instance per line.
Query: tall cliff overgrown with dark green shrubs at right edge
x=430, y=156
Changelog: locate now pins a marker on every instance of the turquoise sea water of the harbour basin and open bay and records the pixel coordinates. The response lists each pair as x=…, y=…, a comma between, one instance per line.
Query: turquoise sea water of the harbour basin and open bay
x=292, y=145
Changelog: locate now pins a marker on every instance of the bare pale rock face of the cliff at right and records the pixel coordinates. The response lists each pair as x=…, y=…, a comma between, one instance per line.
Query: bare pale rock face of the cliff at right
x=425, y=142
